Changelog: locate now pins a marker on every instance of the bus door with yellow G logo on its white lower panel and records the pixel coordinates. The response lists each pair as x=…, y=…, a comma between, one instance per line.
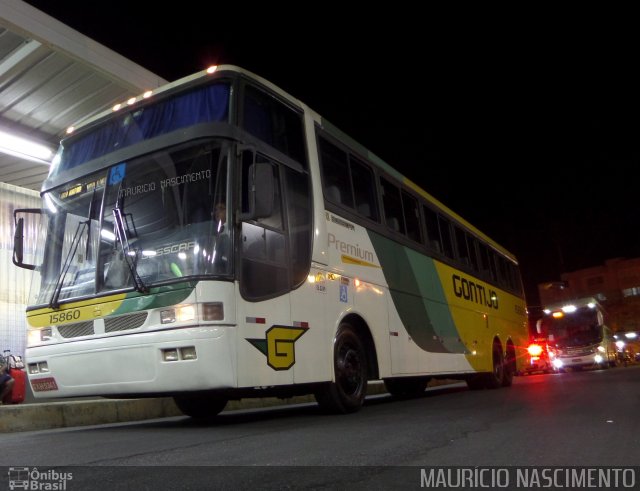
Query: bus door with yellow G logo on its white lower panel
x=274, y=248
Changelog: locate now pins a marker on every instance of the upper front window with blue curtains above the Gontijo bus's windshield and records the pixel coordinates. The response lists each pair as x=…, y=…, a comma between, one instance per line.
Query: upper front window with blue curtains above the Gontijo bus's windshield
x=202, y=105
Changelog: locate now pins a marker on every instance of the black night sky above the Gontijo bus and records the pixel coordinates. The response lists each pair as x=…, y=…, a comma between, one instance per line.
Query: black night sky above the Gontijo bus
x=527, y=127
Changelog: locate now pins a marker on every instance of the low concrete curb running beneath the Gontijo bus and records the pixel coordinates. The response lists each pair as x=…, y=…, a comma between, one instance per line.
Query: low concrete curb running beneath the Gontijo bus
x=42, y=416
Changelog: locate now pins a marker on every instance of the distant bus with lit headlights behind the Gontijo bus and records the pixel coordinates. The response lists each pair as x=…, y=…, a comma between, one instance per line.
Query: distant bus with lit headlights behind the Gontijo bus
x=577, y=334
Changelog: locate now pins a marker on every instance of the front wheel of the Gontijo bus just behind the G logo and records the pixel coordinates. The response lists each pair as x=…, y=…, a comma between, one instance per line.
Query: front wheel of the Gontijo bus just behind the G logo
x=347, y=393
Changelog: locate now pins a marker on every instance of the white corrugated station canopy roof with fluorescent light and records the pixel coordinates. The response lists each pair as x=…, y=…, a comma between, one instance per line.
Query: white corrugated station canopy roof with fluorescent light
x=53, y=77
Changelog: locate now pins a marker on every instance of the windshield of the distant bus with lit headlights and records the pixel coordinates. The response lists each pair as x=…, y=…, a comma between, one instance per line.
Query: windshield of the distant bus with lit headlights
x=580, y=328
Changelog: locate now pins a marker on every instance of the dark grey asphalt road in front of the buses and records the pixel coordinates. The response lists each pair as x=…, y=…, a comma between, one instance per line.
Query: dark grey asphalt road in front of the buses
x=587, y=418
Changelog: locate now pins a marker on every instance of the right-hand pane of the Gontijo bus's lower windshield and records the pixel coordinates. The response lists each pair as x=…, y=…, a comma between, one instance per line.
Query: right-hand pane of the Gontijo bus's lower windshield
x=172, y=206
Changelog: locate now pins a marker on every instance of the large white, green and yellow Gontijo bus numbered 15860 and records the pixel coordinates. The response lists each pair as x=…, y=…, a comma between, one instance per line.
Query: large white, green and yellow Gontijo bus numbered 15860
x=218, y=239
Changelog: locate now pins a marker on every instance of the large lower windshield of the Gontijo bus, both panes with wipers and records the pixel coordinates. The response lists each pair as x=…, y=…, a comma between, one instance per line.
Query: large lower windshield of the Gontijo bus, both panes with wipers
x=155, y=219
